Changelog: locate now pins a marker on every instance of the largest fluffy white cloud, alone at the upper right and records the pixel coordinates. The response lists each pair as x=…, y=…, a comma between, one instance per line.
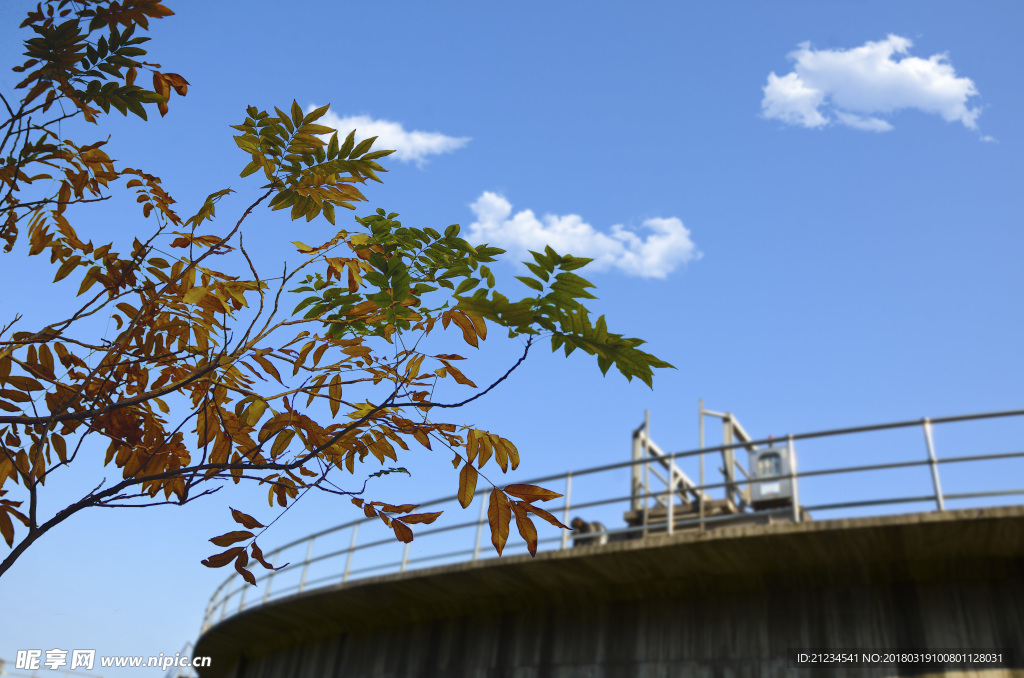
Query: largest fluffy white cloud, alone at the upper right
x=852, y=87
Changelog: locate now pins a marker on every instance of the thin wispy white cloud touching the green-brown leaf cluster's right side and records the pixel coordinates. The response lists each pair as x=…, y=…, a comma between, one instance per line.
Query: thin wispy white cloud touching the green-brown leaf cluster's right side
x=409, y=146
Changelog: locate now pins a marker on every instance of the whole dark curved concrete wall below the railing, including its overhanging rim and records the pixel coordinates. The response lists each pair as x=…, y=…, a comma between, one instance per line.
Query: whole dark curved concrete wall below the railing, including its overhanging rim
x=727, y=604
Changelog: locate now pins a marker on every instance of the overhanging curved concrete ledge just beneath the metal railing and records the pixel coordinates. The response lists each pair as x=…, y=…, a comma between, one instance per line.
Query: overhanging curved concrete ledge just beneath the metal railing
x=963, y=546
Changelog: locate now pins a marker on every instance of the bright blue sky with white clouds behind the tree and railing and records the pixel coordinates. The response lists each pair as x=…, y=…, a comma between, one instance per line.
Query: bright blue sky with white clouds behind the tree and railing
x=814, y=210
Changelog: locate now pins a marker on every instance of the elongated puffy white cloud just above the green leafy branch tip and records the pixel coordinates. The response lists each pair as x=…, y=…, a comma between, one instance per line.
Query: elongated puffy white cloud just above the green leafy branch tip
x=666, y=247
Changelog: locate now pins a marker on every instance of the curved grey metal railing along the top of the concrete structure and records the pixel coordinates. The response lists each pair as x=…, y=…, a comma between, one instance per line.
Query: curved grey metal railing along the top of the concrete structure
x=224, y=597
